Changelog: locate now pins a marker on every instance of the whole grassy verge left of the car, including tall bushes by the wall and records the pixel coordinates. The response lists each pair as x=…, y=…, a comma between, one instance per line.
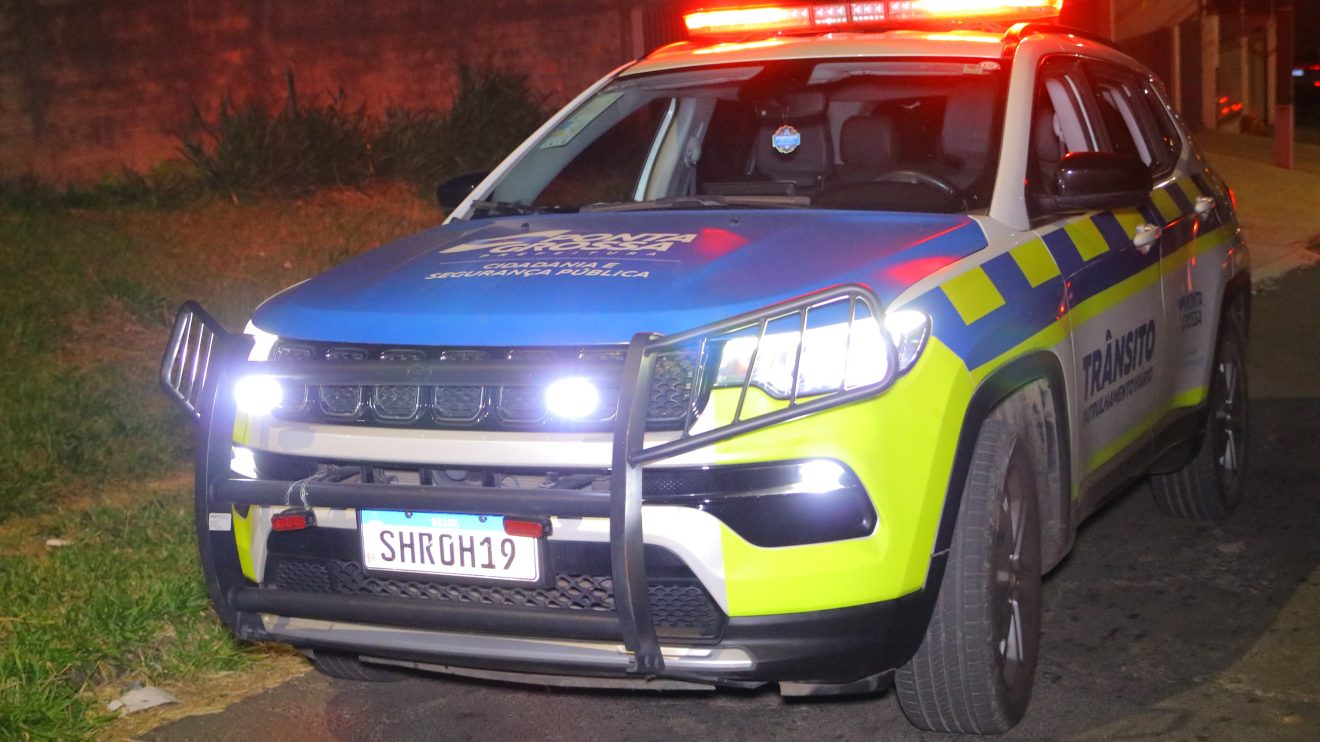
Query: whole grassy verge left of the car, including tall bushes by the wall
x=89, y=281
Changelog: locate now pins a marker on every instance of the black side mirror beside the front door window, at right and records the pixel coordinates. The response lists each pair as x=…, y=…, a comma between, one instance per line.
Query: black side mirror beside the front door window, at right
x=1100, y=180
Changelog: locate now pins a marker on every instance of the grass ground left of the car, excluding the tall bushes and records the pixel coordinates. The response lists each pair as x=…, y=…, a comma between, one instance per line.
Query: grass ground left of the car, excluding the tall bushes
x=86, y=439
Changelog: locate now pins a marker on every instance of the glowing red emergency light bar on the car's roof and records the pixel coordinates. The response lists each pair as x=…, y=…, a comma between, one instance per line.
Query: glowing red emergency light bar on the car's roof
x=832, y=17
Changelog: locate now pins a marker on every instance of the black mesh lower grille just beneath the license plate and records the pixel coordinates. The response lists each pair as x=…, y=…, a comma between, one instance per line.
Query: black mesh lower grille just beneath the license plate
x=682, y=608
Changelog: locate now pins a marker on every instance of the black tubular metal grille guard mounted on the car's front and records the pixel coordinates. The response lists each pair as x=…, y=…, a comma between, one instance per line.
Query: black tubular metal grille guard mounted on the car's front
x=203, y=362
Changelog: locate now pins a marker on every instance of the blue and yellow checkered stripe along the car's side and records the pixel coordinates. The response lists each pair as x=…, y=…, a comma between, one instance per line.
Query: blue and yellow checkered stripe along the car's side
x=997, y=306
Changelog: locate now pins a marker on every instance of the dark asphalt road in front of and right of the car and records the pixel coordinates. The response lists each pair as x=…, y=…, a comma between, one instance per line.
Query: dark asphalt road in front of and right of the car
x=1153, y=628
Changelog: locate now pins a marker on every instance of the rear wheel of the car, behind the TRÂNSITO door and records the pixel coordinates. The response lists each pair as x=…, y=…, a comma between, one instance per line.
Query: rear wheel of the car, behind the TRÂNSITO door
x=1210, y=487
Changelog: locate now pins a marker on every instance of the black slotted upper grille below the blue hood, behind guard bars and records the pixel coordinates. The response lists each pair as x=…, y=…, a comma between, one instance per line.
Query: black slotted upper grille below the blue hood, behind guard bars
x=674, y=390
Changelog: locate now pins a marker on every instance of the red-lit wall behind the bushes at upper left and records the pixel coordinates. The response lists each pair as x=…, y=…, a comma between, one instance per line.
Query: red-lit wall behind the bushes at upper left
x=89, y=86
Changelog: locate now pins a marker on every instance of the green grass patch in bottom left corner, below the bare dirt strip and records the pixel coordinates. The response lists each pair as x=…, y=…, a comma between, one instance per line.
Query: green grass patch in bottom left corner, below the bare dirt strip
x=98, y=609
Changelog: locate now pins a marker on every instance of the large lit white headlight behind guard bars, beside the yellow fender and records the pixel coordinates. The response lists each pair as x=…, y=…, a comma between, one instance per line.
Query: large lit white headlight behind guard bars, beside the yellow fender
x=834, y=358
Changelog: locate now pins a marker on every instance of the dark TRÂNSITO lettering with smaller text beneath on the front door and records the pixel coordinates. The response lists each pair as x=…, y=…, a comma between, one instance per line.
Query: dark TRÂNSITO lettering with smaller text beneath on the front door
x=1119, y=369
